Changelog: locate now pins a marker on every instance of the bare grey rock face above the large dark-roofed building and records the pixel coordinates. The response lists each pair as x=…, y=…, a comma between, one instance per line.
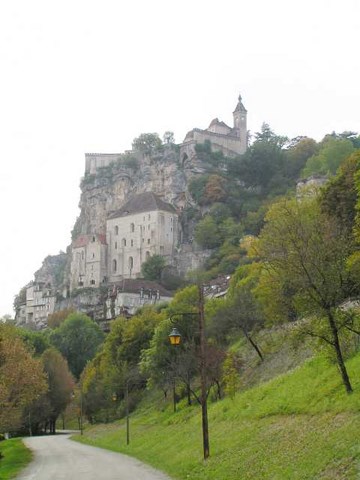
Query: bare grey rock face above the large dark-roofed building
x=111, y=186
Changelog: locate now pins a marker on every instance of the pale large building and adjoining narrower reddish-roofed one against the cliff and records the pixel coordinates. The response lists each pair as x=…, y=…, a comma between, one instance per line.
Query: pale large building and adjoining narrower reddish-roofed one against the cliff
x=144, y=226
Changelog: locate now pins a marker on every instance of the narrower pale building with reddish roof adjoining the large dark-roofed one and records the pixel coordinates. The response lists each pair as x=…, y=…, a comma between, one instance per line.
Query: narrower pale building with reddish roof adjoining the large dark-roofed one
x=88, y=262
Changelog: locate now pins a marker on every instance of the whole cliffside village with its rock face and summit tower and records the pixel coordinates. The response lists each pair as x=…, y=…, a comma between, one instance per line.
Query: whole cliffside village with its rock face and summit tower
x=133, y=206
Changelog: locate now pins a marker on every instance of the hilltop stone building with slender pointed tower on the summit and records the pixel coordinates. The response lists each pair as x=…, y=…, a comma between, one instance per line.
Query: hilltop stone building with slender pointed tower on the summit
x=229, y=140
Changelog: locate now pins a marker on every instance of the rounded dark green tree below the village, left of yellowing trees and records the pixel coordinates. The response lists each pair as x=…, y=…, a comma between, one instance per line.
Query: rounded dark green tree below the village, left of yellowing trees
x=78, y=339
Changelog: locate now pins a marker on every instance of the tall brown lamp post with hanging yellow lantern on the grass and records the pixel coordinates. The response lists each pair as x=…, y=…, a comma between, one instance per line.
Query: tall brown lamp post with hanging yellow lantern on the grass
x=175, y=339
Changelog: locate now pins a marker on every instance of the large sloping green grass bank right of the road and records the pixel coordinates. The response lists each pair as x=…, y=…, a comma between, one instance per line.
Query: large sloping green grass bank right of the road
x=300, y=425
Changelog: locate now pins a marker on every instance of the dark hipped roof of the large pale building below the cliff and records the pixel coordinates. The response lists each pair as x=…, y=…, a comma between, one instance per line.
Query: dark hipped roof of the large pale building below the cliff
x=143, y=202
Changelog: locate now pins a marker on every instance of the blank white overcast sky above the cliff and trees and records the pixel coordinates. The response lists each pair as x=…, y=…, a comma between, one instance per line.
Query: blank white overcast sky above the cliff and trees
x=89, y=76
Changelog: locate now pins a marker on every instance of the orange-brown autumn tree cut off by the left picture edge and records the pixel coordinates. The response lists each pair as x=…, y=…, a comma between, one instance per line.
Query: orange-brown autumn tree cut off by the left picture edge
x=22, y=379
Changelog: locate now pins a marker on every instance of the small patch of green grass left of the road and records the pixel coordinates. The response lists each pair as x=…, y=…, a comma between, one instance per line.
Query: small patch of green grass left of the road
x=15, y=457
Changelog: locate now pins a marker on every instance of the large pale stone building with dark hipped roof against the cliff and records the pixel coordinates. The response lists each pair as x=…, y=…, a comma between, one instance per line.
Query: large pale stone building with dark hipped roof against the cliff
x=144, y=226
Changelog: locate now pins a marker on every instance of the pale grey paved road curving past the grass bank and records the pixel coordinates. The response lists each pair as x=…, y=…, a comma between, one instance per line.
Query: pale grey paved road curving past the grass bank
x=59, y=458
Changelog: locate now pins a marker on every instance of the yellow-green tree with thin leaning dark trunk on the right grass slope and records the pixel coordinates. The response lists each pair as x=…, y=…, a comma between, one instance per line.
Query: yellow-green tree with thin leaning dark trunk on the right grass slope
x=306, y=251
